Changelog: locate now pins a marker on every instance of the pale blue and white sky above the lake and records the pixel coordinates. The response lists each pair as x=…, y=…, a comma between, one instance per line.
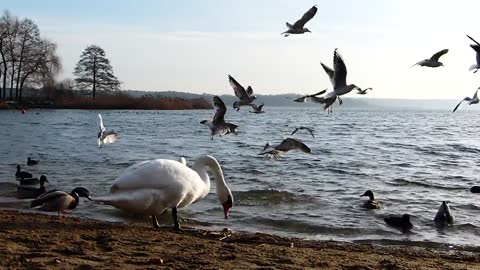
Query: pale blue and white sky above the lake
x=193, y=45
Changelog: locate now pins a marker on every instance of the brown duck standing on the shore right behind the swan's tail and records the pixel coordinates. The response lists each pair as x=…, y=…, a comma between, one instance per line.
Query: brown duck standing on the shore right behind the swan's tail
x=60, y=201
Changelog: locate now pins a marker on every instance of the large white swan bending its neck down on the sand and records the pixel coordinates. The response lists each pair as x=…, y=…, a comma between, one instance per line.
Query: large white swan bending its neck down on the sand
x=153, y=186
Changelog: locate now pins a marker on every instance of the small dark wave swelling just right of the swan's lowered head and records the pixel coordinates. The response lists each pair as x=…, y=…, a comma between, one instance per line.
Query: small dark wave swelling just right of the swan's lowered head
x=269, y=197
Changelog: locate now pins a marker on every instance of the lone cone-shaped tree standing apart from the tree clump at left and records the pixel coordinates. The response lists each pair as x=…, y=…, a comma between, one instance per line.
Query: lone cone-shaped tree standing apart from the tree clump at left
x=94, y=70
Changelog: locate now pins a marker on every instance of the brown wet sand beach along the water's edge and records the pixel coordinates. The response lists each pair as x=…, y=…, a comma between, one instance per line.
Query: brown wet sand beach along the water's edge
x=35, y=241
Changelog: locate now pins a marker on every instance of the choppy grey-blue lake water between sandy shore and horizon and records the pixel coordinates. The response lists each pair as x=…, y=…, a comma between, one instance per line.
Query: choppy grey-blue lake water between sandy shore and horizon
x=412, y=160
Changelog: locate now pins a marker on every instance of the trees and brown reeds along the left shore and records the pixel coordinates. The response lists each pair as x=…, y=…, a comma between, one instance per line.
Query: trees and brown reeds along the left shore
x=29, y=61
